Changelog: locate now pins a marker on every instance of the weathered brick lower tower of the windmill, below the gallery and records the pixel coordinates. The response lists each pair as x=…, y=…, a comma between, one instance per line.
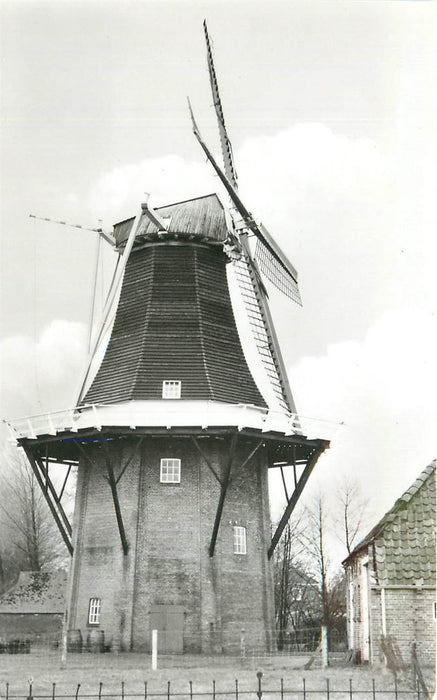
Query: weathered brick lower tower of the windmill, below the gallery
x=169, y=529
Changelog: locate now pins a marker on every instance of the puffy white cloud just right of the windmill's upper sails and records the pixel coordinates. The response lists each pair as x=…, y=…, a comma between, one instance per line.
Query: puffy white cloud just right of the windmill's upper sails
x=309, y=159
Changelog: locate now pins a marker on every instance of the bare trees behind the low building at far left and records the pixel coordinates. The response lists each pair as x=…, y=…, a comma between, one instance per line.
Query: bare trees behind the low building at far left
x=29, y=538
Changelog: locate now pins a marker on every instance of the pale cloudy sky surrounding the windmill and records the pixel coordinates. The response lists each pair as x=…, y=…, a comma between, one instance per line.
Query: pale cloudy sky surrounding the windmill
x=330, y=107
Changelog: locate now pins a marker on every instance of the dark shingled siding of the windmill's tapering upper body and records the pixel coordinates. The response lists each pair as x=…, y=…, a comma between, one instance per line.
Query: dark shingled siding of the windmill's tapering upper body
x=175, y=321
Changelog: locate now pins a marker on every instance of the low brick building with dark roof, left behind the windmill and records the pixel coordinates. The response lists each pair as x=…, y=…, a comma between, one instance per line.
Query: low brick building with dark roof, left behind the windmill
x=33, y=607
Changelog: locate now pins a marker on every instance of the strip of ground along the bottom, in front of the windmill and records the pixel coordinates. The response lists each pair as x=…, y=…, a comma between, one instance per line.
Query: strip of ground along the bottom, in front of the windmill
x=131, y=674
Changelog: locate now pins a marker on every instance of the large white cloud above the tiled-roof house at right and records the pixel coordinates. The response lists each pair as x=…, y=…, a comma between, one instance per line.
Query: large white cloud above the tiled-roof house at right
x=384, y=390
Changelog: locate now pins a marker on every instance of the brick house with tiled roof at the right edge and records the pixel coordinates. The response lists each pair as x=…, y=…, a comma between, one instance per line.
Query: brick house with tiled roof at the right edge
x=391, y=577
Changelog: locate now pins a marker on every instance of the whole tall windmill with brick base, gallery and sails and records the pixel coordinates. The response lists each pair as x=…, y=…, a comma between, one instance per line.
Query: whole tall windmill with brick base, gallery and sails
x=174, y=433
